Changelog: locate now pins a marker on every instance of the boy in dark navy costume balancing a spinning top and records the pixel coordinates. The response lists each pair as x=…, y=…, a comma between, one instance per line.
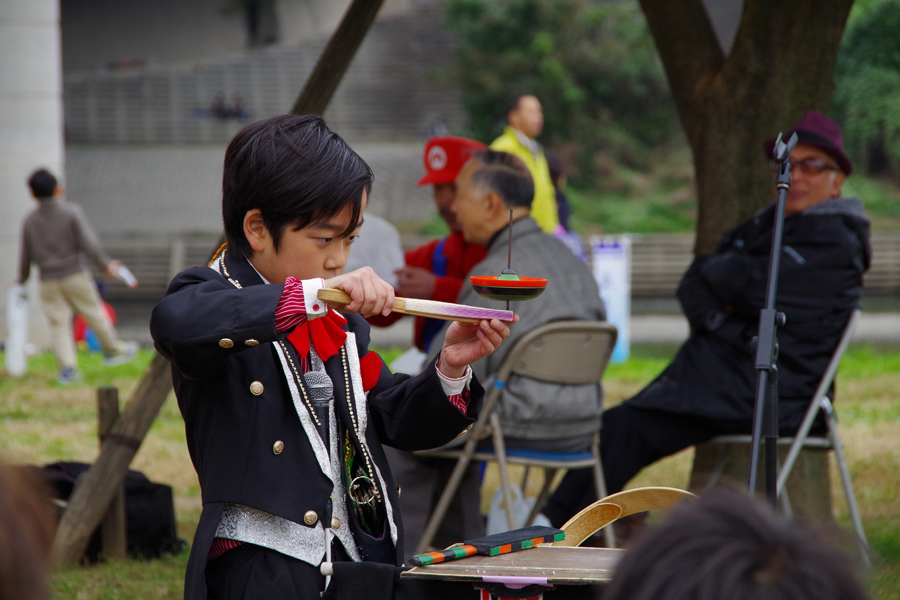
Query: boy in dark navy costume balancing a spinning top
x=285, y=408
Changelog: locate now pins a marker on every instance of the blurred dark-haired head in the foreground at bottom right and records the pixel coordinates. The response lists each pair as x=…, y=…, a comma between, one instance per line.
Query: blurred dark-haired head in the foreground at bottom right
x=728, y=546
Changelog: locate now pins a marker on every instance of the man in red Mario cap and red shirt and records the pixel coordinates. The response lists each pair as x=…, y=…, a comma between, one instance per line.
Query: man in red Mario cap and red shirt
x=437, y=270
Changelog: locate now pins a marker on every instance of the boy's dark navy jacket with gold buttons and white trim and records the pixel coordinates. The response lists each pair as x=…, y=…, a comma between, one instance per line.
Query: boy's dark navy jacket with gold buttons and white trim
x=249, y=447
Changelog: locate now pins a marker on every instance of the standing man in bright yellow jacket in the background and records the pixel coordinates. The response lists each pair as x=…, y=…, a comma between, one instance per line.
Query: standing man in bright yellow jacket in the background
x=526, y=120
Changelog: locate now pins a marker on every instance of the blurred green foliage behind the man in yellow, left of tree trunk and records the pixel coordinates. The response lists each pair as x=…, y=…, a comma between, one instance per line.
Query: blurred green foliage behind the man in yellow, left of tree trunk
x=593, y=66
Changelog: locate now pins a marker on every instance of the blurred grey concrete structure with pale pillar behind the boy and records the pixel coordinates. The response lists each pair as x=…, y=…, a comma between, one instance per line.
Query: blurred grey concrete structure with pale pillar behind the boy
x=133, y=103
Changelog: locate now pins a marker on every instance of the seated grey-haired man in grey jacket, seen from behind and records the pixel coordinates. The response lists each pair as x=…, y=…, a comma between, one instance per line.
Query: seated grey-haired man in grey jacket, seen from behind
x=534, y=414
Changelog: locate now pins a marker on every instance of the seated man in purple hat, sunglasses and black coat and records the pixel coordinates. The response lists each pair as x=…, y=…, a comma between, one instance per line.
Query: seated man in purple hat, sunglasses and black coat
x=710, y=387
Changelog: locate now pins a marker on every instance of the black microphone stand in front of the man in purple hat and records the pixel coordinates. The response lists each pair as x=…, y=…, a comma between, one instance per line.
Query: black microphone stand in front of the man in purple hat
x=765, y=344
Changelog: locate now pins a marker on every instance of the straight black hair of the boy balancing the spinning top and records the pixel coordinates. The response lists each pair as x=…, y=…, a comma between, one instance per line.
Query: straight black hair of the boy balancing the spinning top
x=296, y=171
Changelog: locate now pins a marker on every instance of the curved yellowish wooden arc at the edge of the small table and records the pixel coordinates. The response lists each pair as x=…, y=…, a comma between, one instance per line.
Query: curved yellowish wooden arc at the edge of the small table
x=606, y=510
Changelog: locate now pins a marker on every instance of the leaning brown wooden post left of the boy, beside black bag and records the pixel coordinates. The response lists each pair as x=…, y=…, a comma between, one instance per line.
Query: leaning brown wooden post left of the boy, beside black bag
x=93, y=494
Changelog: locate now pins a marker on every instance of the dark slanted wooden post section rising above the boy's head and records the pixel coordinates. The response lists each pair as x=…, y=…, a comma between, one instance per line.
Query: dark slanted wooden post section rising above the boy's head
x=333, y=63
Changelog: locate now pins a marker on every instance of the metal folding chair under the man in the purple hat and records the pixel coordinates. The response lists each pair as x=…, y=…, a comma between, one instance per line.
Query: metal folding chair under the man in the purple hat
x=832, y=441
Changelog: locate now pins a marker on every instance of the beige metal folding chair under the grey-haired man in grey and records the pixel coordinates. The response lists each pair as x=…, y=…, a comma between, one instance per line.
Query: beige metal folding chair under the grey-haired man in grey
x=563, y=352
